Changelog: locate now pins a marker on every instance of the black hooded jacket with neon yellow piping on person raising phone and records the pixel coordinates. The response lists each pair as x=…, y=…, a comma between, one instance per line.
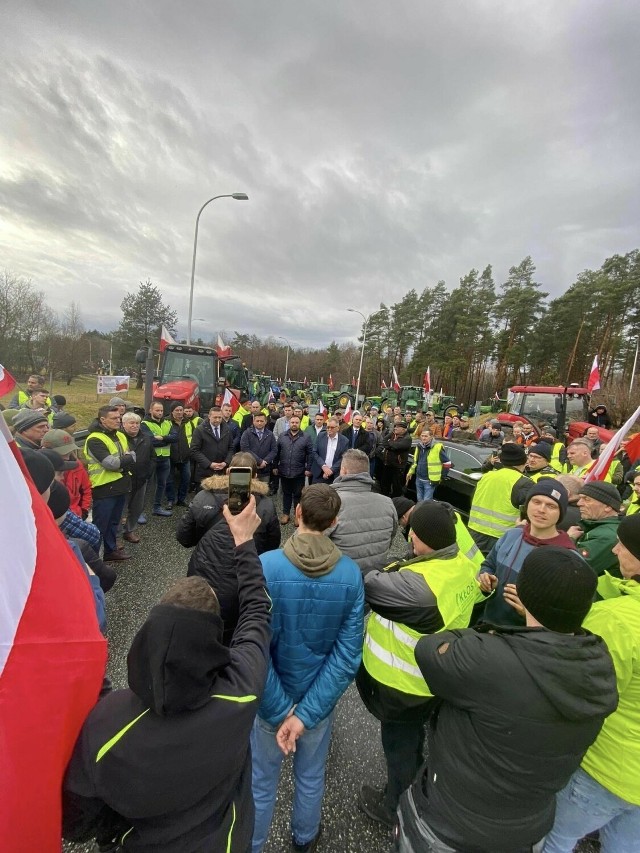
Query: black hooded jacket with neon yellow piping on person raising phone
x=167, y=760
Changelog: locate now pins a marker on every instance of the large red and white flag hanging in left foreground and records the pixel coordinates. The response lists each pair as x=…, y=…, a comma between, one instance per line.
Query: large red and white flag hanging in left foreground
x=52, y=659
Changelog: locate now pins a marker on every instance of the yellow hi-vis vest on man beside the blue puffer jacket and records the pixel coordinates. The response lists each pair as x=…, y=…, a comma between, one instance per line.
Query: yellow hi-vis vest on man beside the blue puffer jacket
x=389, y=647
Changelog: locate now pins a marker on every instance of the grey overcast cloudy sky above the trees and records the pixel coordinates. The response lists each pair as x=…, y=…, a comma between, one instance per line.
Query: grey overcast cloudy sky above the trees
x=383, y=144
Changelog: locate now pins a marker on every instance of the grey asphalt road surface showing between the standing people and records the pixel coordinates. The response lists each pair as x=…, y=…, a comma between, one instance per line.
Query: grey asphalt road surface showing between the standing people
x=355, y=755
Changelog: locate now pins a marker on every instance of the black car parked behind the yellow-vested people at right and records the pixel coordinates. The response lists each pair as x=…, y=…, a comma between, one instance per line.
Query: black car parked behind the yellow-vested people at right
x=458, y=486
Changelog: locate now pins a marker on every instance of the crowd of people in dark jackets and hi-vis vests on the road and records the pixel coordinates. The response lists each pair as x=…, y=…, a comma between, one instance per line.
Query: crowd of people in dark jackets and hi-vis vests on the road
x=506, y=649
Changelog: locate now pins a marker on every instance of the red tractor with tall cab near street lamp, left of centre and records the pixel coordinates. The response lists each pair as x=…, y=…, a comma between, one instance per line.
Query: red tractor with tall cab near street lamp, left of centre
x=198, y=377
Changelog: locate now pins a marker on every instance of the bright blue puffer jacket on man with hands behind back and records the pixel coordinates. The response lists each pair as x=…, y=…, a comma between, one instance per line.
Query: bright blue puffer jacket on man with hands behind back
x=316, y=645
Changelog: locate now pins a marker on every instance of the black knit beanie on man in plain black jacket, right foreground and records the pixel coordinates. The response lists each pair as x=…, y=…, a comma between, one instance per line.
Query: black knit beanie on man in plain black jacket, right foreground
x=557, y=588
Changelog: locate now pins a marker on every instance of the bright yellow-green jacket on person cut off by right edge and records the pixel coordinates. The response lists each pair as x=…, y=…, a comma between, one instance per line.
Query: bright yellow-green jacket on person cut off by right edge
x=614, y=758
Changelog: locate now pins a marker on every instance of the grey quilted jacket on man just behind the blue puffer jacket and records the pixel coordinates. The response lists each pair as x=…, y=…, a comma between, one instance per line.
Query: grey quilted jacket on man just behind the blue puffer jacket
x=367, y=522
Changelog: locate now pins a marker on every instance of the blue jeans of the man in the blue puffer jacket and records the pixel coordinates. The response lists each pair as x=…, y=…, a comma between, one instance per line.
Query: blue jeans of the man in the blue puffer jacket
x=309, y=761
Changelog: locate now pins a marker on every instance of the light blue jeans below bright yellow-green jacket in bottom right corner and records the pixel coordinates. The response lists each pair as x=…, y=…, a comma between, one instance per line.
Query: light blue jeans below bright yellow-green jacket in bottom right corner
x=584, y=805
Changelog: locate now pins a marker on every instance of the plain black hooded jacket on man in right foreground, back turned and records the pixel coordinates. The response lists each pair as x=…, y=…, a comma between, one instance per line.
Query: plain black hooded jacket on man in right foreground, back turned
x=520, y=707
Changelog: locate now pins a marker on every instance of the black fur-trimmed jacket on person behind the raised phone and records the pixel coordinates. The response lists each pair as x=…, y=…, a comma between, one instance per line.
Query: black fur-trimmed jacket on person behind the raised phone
x=204, y=527
